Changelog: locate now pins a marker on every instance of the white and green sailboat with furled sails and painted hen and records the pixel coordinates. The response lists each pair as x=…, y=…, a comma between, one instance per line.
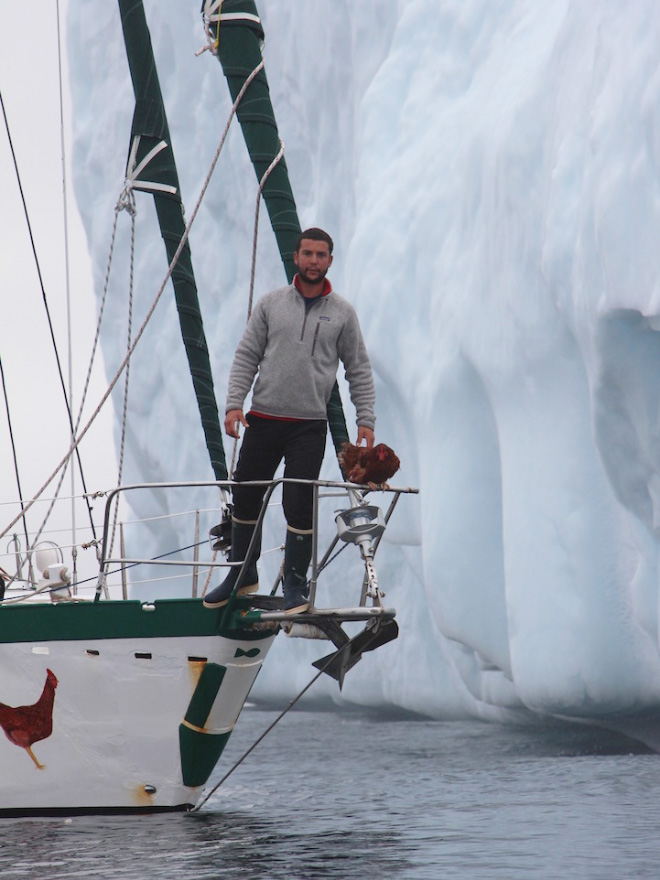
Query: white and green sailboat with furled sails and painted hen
x=112, y=703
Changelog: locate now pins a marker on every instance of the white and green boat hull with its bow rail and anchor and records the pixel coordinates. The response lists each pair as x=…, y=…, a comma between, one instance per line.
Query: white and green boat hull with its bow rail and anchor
x=128, y=705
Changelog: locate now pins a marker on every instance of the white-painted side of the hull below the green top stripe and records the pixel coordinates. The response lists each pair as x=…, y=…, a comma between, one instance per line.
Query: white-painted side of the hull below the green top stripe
x=115, y=741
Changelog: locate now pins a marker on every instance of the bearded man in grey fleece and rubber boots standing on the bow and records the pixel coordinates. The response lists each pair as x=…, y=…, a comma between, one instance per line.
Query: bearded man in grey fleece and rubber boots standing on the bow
x=293, y=343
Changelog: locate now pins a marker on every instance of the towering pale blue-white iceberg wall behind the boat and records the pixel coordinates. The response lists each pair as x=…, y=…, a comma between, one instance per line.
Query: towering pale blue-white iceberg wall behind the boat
x=490, y=173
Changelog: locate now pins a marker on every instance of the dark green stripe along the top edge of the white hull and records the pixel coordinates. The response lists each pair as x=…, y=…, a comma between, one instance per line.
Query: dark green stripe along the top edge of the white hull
x=124, y=619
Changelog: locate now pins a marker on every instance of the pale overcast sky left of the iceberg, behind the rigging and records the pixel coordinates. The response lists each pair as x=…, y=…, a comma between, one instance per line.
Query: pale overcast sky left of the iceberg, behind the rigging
x=29, y=81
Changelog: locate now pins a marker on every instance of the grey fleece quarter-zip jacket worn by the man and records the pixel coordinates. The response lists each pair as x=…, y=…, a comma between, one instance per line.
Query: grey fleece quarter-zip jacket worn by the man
x=296, y=351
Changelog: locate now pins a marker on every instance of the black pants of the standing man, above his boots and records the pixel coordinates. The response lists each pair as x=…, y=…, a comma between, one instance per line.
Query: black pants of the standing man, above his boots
x=266, y=442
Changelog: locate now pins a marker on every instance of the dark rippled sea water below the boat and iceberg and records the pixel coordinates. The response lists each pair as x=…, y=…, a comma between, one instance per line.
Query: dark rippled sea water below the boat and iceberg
x=329, y=794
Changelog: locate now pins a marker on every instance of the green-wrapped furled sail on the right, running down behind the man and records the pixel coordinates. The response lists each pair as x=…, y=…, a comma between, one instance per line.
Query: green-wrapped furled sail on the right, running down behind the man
x=239, y=34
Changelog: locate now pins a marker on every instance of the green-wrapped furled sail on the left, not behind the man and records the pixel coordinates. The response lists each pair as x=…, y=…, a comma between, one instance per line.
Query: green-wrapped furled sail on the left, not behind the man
x=150, y=132
